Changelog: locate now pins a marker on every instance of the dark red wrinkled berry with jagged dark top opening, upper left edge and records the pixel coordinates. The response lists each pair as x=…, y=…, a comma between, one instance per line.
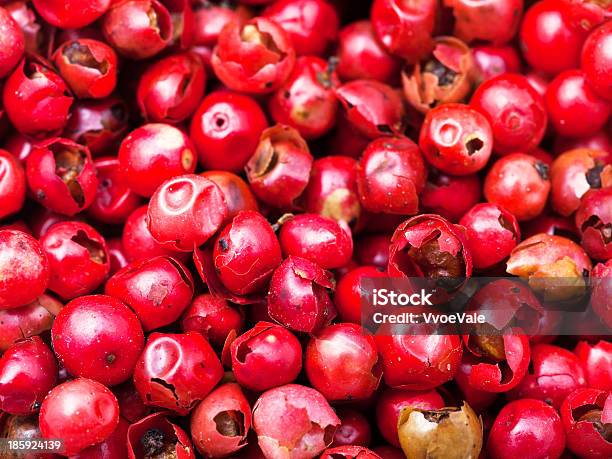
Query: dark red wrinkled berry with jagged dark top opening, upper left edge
x=37, y=106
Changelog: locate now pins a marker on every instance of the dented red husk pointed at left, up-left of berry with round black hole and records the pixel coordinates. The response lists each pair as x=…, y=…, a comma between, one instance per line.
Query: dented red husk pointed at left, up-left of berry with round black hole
x=372, y=108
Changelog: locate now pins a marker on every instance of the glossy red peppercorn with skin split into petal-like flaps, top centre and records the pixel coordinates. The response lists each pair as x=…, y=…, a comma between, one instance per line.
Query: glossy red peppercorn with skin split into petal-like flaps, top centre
x=244, y=63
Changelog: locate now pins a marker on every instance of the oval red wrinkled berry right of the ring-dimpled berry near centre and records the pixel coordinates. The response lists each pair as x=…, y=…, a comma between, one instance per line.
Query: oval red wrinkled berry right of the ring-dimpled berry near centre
x=246, y=253
